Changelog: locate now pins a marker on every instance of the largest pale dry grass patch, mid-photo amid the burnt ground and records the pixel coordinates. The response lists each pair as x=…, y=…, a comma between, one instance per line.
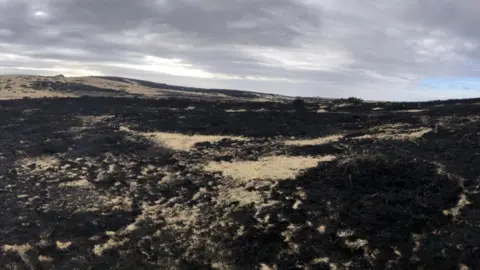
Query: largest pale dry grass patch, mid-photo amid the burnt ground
x=273, y=167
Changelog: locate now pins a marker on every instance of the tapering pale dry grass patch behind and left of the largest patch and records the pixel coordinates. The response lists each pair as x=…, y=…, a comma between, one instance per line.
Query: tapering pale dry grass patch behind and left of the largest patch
x=178, y=141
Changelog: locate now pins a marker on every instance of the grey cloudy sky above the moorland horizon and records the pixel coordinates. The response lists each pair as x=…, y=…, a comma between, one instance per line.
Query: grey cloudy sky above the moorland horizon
x=407, y=50
